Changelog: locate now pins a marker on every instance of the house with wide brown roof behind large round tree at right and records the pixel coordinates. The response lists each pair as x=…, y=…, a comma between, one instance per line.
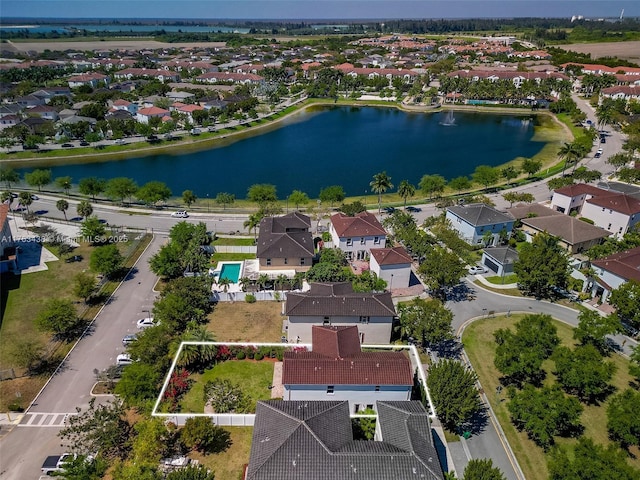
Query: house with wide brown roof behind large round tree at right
x=574, y=235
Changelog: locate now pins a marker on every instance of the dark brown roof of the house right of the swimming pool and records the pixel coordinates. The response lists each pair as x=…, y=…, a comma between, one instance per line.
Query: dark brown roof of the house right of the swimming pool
x=285, y=237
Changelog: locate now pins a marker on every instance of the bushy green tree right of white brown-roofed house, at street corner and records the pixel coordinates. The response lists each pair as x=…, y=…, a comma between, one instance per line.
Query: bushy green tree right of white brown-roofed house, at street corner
x=428, y=321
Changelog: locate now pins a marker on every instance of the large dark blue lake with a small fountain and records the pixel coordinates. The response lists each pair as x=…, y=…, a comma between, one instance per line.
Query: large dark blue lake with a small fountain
x=343, y=146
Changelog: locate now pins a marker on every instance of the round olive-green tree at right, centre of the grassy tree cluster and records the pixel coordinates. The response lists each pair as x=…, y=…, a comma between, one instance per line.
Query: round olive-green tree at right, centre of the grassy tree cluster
x=582, y=372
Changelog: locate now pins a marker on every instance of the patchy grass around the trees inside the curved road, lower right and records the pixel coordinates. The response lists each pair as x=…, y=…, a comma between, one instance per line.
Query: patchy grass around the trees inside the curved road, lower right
x=480, y=347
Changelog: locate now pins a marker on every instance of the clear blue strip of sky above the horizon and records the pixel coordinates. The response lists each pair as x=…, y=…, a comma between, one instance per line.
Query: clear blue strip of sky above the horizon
x=313, y=9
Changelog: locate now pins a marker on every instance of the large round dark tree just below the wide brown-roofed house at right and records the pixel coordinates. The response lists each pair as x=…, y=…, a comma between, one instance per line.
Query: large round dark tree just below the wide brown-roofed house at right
x=542, y=264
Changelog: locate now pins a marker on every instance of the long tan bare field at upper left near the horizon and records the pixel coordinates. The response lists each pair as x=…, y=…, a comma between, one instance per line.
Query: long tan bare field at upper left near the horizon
x=128, y=44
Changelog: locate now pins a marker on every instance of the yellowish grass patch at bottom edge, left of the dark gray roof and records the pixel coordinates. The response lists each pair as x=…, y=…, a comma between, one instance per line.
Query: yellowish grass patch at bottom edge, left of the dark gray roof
x=230, y=464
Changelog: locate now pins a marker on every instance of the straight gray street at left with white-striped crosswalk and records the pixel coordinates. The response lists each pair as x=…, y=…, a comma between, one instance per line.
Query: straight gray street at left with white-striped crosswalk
x=24, y=449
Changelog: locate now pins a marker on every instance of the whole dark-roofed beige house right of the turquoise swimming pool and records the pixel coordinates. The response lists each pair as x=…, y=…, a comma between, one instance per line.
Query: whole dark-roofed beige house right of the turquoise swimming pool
x=285, y=243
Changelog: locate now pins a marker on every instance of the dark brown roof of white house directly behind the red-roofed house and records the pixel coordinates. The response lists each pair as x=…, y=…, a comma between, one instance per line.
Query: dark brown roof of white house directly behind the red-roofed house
x=339, y=299
